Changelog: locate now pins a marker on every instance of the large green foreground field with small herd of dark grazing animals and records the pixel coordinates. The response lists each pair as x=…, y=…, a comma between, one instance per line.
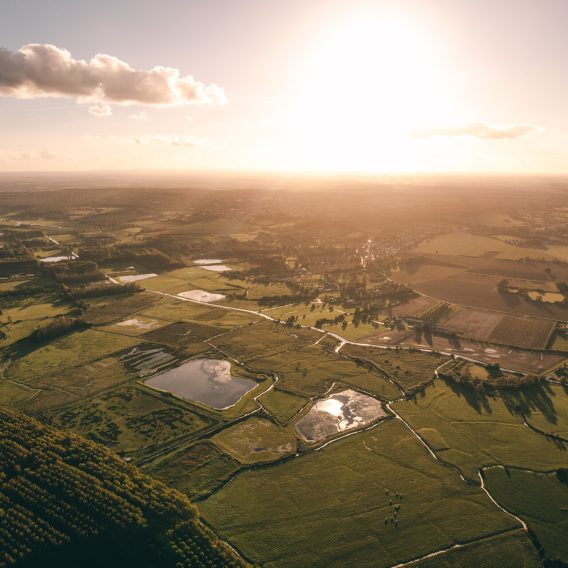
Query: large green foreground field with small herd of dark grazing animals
x=292, y=515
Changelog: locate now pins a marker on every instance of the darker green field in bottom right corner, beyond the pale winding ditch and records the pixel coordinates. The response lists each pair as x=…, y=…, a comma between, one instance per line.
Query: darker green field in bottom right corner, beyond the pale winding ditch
x=541, y=500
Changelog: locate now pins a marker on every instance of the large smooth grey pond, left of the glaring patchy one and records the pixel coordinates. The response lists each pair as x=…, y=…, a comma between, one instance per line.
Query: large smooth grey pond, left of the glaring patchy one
x=208, y=381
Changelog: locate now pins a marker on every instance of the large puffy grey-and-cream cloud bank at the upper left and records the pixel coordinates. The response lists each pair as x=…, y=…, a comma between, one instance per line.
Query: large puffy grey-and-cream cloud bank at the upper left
x=43, y=70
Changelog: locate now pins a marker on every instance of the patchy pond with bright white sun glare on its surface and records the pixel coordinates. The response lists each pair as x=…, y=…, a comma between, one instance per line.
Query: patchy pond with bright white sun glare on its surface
x=339, y=412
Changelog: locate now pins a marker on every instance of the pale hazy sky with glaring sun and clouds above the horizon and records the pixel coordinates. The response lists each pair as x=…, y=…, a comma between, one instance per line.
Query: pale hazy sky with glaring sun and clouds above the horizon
x=358, y=86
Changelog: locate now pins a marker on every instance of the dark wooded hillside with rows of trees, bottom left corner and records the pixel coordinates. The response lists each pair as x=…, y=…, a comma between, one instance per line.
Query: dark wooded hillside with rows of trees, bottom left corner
x=69, y=502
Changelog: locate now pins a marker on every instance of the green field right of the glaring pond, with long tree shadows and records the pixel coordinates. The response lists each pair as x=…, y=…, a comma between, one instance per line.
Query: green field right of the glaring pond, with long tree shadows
x=470, y=429
